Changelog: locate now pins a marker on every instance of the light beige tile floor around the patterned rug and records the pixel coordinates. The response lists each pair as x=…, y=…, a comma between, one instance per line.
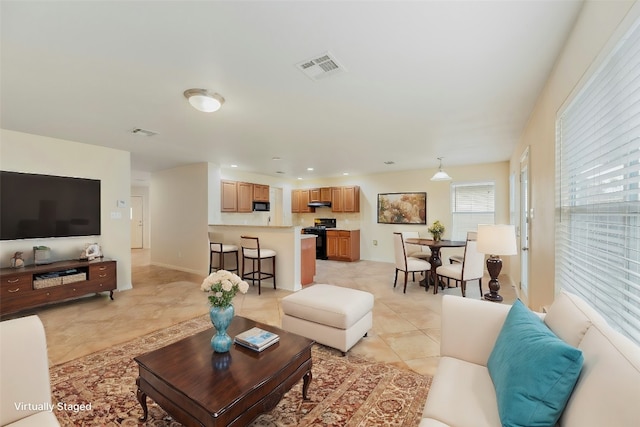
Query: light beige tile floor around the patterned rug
x=406, y=327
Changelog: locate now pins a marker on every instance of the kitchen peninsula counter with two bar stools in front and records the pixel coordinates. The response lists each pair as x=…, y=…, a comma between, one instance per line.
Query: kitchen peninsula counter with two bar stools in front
x=286, y=241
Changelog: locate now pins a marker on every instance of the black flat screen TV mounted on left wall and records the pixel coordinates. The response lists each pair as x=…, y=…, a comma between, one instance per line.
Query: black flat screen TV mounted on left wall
x=38, y=206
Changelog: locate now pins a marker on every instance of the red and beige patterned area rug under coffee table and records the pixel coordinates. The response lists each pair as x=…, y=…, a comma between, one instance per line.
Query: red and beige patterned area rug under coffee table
x=100, y=389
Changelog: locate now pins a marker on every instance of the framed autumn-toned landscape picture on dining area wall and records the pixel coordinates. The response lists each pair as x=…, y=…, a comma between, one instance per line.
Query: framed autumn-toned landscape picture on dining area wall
x=402, y=208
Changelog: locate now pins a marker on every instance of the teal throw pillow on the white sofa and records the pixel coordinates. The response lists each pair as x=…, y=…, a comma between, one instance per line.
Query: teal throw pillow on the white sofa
x=533, y=370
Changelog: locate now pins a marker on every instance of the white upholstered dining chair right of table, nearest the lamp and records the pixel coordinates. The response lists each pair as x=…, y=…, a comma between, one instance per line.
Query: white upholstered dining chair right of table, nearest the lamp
x=471, y=267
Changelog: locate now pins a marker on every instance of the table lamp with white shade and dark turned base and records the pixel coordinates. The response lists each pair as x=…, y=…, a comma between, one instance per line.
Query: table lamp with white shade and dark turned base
x=496, y=240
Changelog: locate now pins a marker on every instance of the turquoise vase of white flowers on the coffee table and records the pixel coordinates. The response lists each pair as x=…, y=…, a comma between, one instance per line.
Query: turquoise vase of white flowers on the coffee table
x=222, y=286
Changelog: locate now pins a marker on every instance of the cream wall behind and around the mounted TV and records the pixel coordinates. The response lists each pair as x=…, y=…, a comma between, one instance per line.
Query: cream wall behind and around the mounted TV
x=21, y=152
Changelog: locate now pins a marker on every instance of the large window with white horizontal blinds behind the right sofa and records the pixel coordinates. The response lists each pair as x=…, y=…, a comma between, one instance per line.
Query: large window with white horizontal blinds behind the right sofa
x=598, y=195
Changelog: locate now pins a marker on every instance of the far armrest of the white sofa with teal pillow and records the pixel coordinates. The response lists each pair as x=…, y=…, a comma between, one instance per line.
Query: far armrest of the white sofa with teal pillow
x=470, y=328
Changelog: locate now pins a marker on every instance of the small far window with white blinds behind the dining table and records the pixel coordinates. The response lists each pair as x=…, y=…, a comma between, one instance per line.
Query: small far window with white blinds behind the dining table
x=471, y=204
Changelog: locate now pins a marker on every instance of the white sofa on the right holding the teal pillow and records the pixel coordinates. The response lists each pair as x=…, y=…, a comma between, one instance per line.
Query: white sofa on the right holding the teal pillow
x=607, y=392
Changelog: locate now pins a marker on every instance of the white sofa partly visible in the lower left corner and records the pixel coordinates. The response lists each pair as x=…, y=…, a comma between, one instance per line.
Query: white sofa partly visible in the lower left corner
x=25, y=389
